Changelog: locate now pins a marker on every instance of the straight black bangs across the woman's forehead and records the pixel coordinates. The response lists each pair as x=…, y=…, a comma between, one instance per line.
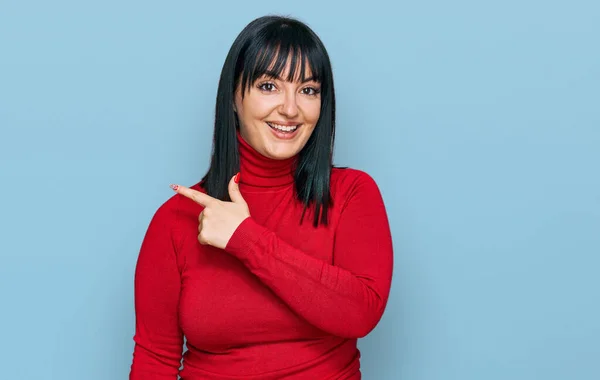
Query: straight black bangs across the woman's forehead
x=272, y=52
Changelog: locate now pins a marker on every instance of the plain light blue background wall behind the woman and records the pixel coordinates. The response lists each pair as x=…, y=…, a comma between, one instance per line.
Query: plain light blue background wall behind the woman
x=480, y=122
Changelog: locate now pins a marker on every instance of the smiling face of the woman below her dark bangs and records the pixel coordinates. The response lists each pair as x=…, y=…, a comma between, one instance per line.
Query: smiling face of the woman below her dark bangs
x=277, y=117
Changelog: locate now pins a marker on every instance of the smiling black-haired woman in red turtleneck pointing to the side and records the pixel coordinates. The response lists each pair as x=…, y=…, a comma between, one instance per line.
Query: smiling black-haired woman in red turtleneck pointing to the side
x=276, y=262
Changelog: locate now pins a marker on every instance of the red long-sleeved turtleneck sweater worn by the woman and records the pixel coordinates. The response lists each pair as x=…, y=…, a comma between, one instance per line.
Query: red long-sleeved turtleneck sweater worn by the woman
x=283, y=300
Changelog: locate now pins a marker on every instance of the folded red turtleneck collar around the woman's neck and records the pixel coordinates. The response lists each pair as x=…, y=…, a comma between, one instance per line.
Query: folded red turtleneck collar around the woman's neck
x=260, y=171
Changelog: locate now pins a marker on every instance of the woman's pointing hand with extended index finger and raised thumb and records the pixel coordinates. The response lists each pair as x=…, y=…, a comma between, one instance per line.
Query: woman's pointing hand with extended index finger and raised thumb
x=219, y=220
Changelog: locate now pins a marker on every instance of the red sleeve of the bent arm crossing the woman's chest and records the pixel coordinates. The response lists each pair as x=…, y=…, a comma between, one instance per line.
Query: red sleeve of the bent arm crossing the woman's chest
x=346, y=299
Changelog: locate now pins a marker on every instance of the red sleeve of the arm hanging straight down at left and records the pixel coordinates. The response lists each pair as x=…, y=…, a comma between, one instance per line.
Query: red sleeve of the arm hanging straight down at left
x=158, y=337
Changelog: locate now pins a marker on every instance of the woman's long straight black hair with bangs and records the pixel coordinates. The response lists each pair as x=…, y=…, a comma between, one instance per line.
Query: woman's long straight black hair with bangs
x=264, y=46
